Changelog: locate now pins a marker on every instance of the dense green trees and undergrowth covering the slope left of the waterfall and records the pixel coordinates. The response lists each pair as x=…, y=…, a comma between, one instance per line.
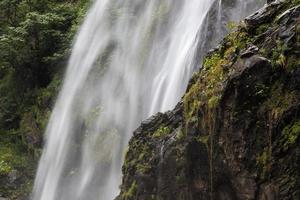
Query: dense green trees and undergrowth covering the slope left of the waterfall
x=35, y=41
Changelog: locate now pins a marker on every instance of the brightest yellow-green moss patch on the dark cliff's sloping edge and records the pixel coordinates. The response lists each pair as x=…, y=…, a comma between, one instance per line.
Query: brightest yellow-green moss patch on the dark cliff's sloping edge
x=208, y=87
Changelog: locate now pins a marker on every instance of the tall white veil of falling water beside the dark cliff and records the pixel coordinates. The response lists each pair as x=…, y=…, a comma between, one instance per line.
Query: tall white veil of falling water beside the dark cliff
x=131, y=59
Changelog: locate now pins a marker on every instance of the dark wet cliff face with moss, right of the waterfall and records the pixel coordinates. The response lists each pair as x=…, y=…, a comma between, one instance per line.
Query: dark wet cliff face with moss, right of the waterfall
x=235, y=134
